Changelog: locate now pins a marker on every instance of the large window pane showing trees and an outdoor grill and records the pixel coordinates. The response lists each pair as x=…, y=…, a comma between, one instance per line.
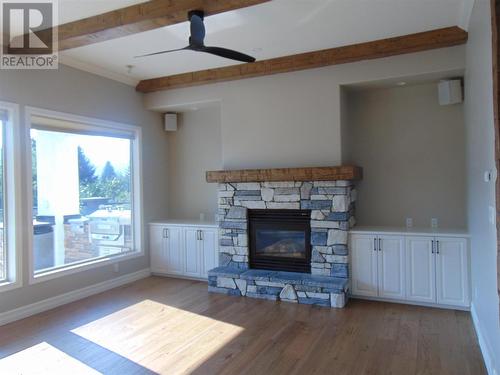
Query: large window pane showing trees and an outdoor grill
x=83, y=190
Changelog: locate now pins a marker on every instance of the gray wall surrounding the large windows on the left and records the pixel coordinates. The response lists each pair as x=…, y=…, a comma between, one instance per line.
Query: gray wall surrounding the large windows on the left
x=73, y=91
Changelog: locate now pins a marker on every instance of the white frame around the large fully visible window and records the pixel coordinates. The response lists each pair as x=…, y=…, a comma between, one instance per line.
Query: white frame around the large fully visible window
x=97, y=125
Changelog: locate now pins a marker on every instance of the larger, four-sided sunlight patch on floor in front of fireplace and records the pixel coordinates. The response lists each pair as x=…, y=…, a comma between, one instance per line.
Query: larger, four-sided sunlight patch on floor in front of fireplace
x=160, y=335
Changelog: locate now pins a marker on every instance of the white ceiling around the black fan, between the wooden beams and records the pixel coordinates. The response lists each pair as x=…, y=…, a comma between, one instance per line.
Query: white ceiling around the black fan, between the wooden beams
x=277, y=28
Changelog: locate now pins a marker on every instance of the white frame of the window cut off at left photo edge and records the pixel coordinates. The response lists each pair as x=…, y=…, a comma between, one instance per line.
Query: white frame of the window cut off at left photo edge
x=12, y=197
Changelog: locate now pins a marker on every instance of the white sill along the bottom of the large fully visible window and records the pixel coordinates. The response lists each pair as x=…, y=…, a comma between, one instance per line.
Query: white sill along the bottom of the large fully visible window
x=72, y=269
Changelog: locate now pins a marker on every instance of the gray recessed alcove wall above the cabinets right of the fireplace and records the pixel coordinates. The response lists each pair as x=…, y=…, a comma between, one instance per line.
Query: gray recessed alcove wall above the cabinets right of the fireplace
x=413, y=155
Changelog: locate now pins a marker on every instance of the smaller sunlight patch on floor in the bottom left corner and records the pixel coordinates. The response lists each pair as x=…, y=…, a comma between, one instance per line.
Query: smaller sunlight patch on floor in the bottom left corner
x=43, y=359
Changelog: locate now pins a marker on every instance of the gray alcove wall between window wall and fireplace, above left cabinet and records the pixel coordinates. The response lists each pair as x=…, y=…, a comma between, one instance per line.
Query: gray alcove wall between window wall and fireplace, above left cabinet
x=192, y=150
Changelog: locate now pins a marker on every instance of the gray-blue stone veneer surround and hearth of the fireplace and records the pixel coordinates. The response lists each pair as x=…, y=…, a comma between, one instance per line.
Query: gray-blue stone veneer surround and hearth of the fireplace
x=331, y=204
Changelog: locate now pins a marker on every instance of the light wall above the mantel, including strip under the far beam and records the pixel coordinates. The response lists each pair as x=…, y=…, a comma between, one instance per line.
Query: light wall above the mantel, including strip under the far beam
x=293, y=119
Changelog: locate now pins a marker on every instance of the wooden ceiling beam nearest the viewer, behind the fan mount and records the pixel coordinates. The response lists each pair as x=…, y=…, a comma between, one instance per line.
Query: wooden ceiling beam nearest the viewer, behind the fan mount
x=138, y=18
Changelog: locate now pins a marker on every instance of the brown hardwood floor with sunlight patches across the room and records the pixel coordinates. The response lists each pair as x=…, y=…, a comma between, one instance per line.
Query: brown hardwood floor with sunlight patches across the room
x=170, y=326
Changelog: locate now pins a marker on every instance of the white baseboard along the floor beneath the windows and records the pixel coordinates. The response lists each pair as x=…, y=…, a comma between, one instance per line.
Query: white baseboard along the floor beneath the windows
x=62, y=299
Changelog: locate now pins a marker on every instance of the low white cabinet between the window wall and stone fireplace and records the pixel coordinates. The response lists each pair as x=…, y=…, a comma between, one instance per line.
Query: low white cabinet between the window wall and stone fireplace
x=183, y=250
